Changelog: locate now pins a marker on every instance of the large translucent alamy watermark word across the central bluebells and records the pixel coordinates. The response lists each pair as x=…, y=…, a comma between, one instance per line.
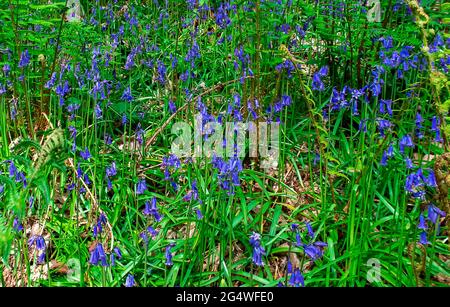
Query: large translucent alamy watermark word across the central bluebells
x=227, y=139
